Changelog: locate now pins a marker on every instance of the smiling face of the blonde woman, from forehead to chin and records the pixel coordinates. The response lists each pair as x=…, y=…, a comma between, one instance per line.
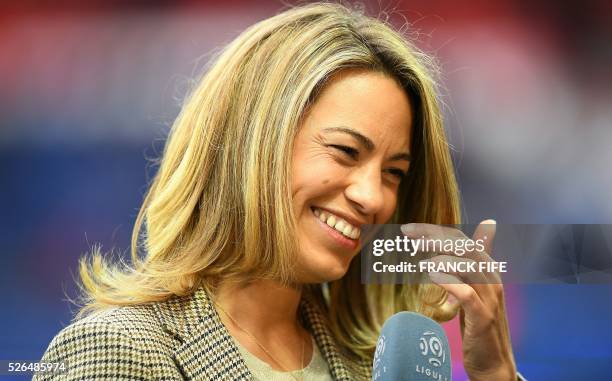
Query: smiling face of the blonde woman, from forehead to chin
x=349, y=157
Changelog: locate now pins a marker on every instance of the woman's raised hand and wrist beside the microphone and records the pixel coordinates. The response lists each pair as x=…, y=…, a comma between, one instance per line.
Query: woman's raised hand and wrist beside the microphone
x=487, y=350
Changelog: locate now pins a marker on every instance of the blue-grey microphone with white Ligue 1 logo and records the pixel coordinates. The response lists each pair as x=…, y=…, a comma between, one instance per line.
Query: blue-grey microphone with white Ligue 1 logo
x=411, y=347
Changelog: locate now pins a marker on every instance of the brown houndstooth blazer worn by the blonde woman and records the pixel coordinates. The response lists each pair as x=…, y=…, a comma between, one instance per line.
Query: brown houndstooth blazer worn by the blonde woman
x=179, y=339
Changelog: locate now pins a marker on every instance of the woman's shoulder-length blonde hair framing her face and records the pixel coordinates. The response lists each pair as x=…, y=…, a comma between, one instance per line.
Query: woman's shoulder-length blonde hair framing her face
x=220, y=205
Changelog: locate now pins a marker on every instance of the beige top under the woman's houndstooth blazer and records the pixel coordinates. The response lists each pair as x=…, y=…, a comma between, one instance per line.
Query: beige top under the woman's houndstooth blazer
x=316, y=370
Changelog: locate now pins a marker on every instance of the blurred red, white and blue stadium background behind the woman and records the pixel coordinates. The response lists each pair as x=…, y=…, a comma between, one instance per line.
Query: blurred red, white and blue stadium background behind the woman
x=88, y=90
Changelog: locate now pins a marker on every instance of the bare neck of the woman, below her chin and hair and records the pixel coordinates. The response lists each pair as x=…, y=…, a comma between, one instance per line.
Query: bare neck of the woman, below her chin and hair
x=263, y=306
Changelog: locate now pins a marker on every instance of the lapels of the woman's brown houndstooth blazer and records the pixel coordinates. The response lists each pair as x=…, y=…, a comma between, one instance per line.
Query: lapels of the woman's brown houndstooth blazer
x=207, y=351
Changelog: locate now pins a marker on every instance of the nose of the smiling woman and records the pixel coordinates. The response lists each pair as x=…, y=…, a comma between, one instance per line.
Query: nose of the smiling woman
x=365, y=191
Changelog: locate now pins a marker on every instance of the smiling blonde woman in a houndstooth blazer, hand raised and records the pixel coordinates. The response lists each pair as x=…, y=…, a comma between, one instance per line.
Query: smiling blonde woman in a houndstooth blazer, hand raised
x=308, y=125
